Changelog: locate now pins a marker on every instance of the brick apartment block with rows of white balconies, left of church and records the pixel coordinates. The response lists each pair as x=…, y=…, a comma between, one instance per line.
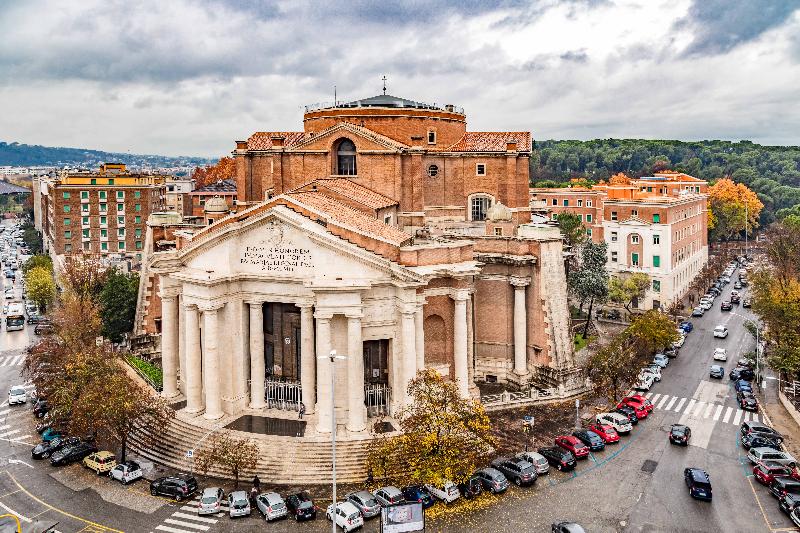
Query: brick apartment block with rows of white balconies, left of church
x=102, y=211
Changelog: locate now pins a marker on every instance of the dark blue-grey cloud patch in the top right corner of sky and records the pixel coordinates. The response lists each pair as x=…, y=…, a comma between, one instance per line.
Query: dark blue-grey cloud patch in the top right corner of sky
x=720, y=25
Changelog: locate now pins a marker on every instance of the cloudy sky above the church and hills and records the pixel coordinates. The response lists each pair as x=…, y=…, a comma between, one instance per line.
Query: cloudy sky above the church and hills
x=183, y=77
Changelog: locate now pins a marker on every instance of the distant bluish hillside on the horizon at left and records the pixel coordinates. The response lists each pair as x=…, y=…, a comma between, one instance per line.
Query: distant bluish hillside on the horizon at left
x=16, y=154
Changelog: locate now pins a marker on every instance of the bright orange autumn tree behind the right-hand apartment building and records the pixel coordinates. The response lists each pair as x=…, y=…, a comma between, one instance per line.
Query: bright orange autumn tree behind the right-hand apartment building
x=732, y=208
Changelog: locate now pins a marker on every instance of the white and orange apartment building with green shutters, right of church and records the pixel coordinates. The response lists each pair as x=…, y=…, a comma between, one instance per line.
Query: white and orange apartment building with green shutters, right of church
x=655, y=224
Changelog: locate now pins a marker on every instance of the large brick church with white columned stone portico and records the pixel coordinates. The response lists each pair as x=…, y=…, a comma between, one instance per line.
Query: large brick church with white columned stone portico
x=383, y=231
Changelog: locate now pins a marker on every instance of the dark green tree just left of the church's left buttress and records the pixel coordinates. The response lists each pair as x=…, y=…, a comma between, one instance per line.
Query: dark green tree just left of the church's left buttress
x=118, y=304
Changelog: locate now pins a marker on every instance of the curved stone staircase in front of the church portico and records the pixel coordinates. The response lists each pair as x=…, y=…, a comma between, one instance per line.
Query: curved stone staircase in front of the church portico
x=282, y=460
